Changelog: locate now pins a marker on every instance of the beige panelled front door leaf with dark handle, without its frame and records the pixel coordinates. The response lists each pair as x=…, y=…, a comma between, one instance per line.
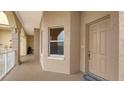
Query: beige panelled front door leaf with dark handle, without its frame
x=98, y=35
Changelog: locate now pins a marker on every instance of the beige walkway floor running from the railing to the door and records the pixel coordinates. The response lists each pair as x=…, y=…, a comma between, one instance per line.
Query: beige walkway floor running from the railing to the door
x=30, y=70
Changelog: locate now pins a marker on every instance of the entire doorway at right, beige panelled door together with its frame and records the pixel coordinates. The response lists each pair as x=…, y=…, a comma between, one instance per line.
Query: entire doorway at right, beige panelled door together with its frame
x=98, y=43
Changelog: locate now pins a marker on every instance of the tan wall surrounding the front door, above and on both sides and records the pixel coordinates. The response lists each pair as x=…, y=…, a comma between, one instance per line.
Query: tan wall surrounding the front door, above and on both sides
x=88, y=17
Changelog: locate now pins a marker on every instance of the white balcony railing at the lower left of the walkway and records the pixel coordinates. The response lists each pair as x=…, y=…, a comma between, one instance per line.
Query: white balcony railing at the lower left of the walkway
x=7, y=62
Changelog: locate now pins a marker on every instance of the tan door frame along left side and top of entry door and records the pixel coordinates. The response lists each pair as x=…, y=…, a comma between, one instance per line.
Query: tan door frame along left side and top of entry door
x=87, y=42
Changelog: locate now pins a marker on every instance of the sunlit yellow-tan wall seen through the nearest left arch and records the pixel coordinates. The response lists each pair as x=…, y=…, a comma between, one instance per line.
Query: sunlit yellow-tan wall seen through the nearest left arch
x=5, y=38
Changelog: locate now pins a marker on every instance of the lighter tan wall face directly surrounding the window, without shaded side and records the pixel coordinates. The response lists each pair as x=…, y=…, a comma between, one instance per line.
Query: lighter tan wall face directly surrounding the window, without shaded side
x=51, y=19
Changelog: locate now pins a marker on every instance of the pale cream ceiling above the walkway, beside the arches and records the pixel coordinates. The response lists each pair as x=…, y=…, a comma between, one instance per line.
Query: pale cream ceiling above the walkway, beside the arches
x=30, y=20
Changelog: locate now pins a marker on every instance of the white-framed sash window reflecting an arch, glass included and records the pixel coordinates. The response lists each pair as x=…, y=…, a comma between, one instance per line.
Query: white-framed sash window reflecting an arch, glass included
x=56, y=42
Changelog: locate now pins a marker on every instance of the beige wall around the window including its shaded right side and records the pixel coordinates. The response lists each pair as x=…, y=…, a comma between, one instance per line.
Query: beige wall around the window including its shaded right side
x=70, y=21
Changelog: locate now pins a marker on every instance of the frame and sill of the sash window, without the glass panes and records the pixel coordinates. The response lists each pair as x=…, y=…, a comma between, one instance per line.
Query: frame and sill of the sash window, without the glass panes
x=55, y=56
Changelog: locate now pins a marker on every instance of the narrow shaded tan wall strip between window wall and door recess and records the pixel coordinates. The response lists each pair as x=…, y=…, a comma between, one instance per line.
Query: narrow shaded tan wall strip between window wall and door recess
x=75, y=42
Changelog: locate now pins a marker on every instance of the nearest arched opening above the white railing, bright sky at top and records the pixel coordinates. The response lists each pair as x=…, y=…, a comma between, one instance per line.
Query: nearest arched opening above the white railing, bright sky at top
x=5, y=33
